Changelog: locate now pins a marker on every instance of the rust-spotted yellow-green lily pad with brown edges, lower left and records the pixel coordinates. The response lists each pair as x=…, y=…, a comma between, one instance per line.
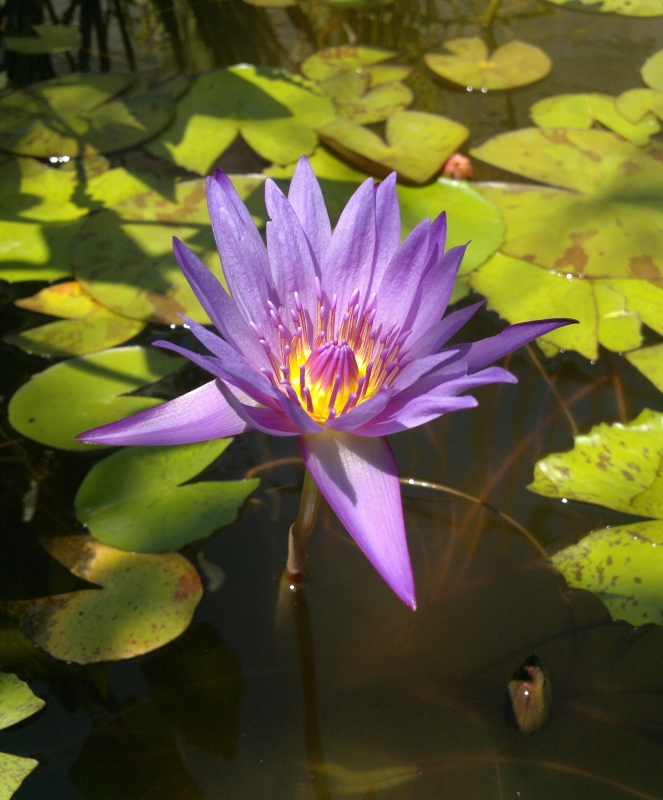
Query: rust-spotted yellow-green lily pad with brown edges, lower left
x=145, y=601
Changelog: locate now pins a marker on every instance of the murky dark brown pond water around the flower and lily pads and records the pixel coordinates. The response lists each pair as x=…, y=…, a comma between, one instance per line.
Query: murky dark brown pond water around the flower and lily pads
x=339, y=689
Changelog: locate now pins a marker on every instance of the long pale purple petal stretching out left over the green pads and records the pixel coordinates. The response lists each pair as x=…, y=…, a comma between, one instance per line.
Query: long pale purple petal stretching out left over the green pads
x=194, y=417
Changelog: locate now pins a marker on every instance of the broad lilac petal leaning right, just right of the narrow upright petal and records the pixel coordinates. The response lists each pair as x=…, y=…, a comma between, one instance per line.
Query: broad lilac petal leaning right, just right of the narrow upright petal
x=402, y=278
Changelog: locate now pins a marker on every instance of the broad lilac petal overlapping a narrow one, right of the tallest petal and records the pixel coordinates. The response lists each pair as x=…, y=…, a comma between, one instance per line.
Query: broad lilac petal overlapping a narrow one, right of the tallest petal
x=348, y=263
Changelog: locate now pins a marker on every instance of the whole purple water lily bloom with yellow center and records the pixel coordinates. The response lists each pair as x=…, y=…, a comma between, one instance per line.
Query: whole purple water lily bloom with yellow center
x=331, y=337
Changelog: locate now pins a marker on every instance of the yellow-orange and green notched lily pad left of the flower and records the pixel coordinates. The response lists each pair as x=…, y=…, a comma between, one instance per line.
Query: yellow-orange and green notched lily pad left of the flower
x=87, y=328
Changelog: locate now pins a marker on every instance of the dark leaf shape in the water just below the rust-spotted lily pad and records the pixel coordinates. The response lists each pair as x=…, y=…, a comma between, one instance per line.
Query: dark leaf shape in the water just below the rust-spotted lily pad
x=196, y=683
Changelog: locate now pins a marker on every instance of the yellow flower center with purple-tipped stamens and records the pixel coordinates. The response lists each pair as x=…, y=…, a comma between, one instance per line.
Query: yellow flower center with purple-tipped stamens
x=330, y=366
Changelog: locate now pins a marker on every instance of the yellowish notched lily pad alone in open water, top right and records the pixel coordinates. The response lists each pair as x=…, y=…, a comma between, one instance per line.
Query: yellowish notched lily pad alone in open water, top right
x=511, y=65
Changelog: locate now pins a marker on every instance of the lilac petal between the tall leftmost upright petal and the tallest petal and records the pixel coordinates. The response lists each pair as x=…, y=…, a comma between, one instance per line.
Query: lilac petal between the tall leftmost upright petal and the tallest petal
x=289, y=253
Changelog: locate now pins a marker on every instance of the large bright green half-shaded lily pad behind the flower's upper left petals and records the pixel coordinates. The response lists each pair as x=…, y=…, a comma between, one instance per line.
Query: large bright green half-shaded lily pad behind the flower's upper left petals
x=274, y=111
